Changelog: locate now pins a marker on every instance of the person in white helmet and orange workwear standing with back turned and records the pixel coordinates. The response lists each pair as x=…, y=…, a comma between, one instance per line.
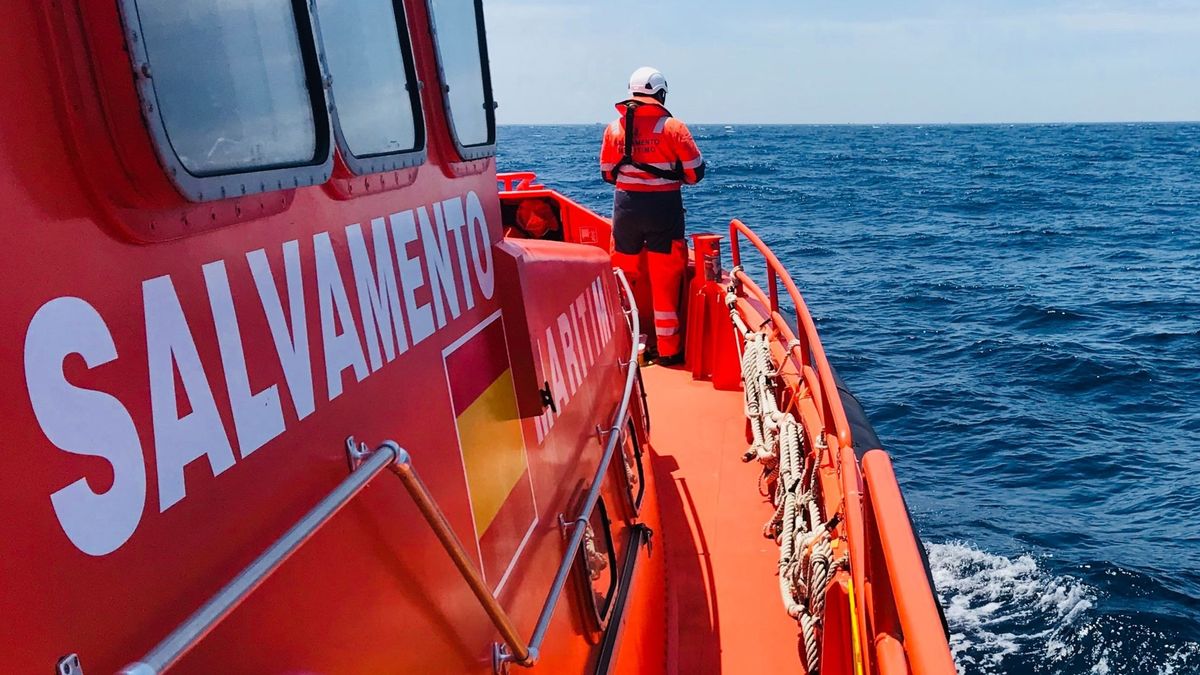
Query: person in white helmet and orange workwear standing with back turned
x=650, y=156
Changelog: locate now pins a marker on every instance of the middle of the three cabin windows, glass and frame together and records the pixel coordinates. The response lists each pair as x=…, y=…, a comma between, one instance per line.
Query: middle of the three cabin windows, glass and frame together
x=376, y=100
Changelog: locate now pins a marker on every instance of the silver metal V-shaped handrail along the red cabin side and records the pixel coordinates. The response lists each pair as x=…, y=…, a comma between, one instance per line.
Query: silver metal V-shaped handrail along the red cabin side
x=367, y=465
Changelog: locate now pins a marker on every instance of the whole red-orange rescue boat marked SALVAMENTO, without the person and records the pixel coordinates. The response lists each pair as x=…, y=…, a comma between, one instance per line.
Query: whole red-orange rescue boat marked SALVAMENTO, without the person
x=284, y=397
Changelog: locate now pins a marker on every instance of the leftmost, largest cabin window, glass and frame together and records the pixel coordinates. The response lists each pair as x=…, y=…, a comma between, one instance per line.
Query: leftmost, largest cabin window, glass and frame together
x=231, y=94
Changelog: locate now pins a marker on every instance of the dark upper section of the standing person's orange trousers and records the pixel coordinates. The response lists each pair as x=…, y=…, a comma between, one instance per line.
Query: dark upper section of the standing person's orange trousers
x=651, y=220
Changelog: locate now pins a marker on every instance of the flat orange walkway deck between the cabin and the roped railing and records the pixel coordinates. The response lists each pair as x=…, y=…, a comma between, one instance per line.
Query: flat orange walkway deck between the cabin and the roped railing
x=724, y=612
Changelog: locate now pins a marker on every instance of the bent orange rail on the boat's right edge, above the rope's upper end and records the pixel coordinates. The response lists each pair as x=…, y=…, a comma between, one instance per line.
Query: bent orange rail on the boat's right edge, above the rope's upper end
x=811, y=348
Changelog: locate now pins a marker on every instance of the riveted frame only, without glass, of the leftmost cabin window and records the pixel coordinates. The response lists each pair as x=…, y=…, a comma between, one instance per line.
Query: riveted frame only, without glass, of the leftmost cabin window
x=232, y=183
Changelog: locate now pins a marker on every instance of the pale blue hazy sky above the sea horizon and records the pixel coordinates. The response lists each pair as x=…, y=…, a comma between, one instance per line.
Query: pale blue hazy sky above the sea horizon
x=862, y=62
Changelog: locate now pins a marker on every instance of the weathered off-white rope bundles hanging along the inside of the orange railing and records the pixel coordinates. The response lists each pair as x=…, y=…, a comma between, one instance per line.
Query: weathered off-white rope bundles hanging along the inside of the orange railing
x=806, y=551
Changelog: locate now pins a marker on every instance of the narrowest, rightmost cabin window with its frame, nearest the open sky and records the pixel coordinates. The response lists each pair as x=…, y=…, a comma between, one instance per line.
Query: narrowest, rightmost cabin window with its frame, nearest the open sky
x=467, y=87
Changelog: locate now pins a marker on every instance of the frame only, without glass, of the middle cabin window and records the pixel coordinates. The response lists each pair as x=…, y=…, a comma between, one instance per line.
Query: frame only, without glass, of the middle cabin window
x=380, y=163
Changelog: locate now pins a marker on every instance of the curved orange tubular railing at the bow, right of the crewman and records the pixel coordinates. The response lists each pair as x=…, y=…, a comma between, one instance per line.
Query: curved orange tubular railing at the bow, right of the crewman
x=807, y=348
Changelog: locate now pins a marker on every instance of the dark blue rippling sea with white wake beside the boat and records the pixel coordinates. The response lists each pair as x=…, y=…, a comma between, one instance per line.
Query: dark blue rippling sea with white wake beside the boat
x=1019, y=310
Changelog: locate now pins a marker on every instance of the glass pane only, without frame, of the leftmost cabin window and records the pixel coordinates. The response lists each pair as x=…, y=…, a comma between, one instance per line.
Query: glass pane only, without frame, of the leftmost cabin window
x=231, y=83
